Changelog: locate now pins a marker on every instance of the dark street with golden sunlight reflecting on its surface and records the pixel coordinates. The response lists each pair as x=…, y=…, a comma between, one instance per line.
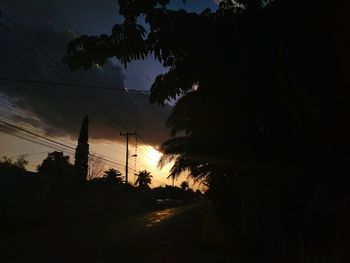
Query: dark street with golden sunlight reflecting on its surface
x=168, y=235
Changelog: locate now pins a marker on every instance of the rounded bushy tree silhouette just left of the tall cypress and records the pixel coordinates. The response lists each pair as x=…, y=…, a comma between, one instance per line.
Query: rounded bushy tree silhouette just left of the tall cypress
x=57, y=167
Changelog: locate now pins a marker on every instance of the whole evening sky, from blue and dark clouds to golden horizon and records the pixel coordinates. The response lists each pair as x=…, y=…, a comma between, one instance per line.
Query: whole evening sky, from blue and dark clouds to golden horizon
x=55, y=111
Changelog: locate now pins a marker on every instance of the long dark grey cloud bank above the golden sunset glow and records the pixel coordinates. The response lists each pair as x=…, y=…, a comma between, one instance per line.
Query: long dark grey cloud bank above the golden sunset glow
x=58, y=110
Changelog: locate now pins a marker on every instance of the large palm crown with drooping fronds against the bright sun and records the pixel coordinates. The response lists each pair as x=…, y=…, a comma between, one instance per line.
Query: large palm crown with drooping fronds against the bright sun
x=190, y=151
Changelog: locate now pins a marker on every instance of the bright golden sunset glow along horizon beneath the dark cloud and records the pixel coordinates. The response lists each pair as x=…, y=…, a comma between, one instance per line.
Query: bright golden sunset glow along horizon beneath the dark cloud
x=147, y=157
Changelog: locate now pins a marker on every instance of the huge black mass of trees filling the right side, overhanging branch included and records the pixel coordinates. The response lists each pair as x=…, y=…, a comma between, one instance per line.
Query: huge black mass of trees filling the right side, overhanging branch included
x=259, y=111
